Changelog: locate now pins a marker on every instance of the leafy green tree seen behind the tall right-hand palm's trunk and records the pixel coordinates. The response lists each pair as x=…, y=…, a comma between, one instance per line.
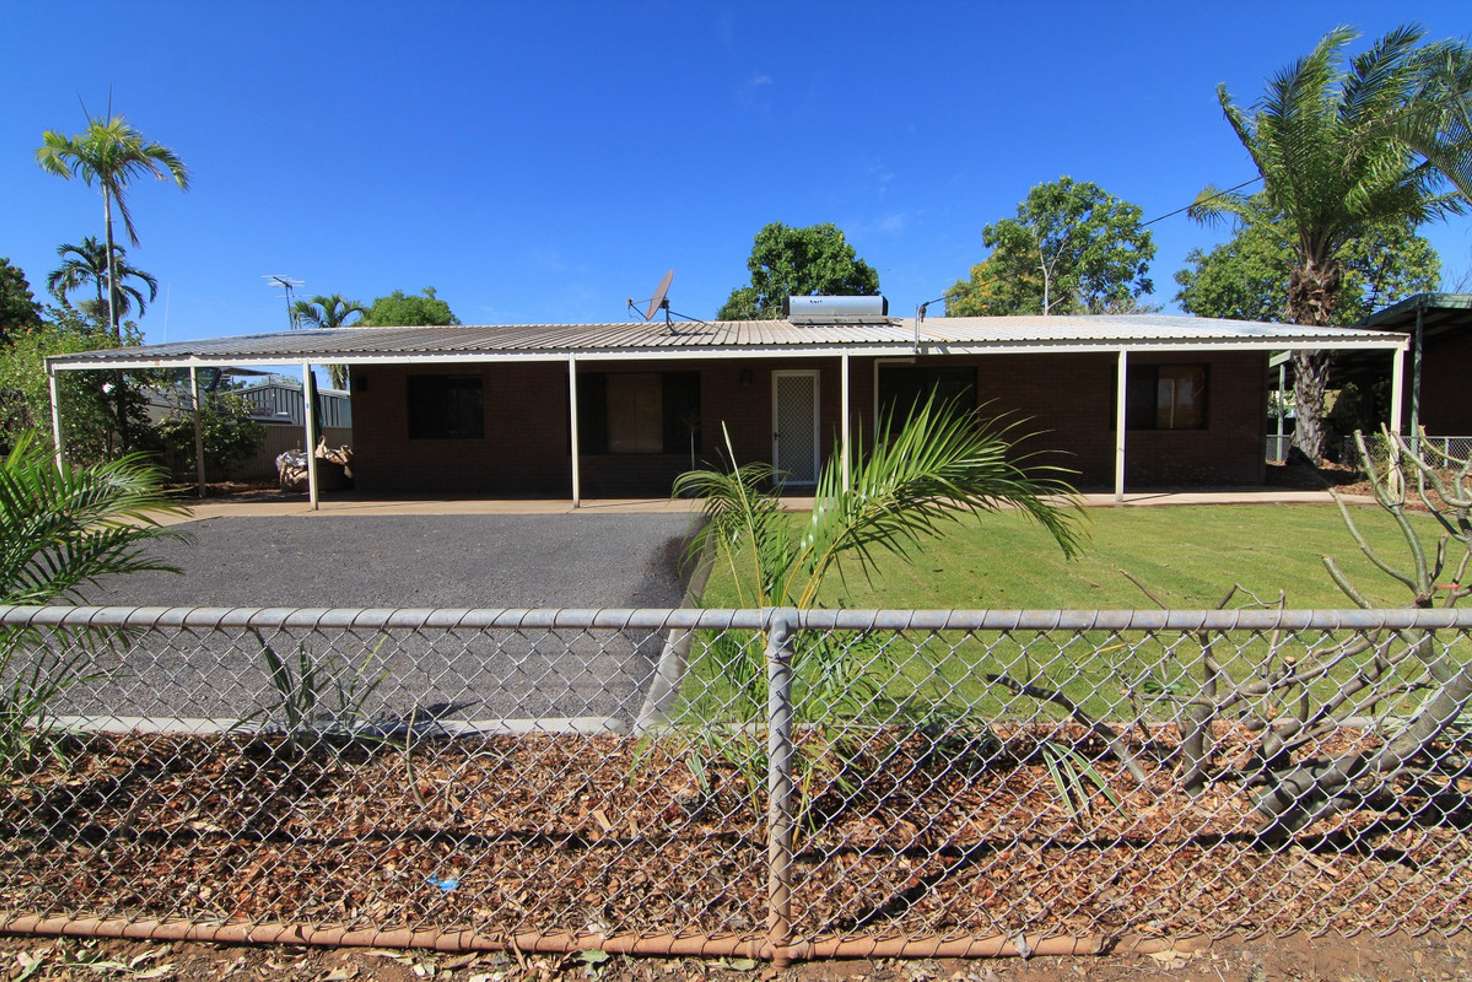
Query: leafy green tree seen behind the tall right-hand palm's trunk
x=1248, y=278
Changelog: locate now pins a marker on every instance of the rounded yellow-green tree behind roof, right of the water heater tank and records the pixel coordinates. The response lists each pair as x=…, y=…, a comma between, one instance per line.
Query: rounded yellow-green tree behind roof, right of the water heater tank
x=1072, y=250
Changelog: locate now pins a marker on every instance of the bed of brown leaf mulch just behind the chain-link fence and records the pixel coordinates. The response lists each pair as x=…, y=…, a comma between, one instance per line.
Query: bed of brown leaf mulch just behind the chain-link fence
x=562, y=833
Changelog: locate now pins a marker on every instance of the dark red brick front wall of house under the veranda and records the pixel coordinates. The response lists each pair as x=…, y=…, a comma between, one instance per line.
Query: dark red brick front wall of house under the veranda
x=526, y=445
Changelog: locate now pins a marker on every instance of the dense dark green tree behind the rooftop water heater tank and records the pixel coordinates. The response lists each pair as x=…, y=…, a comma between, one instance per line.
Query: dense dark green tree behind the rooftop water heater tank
x=799, y=261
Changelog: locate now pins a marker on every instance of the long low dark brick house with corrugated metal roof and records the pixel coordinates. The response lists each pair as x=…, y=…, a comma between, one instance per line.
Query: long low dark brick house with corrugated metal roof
x=1127, y=401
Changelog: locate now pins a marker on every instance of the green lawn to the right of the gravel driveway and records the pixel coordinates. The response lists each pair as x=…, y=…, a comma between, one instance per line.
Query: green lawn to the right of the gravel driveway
x=1190, y=556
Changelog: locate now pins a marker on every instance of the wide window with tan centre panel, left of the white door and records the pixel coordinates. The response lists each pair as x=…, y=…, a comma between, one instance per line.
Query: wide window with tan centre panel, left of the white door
x=640, y=413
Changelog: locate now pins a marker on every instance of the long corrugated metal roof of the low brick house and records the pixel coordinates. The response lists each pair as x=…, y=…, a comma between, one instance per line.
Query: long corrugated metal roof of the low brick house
x=965, y=335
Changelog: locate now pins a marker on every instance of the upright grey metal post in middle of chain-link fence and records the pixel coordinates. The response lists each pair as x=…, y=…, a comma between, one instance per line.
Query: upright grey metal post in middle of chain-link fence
x=781, y=635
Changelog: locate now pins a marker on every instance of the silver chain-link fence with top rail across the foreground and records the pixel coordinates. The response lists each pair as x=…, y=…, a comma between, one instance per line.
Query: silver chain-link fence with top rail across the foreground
x=762, y=784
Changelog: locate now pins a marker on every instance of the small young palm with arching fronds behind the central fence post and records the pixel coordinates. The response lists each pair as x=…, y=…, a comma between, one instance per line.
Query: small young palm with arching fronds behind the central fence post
x=941, y=467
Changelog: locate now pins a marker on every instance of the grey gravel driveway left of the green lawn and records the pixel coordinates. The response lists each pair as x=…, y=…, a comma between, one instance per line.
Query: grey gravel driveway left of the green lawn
x=403, y=562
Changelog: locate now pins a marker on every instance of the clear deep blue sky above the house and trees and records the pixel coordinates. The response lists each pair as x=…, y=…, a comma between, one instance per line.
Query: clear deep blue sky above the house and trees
x=542, y=163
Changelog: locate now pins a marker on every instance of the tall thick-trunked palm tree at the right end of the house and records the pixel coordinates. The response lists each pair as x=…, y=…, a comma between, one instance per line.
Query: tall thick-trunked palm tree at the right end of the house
x=1342, y=145
